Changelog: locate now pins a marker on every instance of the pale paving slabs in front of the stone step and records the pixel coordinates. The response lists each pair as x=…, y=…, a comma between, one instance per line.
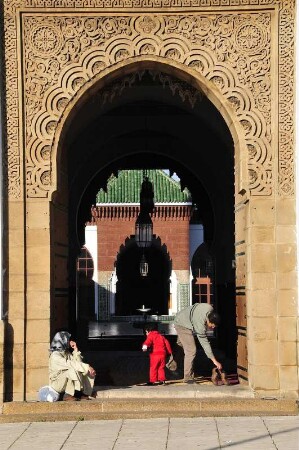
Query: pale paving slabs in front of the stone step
x=204, y=433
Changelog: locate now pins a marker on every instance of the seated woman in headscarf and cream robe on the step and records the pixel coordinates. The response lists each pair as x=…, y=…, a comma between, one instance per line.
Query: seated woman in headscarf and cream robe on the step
x=68, y=374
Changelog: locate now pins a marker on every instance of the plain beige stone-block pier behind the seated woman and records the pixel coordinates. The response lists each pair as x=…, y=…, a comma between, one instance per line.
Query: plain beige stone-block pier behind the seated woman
x=37, y=301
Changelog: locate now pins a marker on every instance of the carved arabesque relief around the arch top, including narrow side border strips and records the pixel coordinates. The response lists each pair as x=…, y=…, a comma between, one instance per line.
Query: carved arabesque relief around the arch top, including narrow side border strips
x=233, y=50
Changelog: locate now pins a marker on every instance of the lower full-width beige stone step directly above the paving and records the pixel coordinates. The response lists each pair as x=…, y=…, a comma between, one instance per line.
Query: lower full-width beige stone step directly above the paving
x=144, y=408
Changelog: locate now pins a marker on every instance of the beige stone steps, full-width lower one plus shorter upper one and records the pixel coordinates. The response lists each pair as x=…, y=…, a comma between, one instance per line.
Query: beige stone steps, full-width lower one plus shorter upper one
x=149, y=403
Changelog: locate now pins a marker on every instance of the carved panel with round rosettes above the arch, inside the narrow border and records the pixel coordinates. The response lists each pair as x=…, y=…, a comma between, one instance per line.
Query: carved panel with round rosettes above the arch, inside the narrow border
x=62, y=54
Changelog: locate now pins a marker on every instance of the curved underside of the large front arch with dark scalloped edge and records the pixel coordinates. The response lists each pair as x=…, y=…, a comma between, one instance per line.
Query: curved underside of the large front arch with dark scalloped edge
x=86, y=105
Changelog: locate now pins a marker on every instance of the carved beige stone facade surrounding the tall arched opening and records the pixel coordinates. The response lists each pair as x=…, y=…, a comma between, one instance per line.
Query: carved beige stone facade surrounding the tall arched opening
x=240, y=54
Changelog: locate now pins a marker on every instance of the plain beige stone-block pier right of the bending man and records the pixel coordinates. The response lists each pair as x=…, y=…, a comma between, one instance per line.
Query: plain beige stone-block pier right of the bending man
x=272, y=296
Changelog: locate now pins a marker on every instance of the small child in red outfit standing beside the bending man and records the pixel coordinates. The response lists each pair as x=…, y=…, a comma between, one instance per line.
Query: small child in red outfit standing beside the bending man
x=160, y=348
